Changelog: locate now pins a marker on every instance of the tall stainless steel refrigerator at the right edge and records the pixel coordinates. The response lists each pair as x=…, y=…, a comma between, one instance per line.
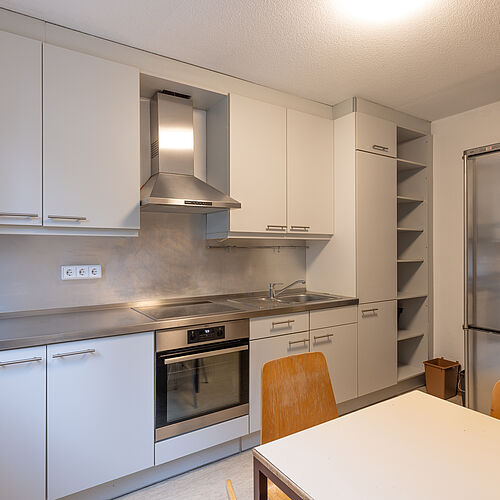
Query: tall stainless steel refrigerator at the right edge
x=482, y=274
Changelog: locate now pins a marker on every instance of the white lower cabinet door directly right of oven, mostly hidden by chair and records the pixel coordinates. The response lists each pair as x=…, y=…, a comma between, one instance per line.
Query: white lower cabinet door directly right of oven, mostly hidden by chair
x=262, y=351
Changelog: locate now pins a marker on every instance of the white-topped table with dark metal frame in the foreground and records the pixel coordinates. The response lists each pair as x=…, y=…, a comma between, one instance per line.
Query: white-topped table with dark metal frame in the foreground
x=414, y=446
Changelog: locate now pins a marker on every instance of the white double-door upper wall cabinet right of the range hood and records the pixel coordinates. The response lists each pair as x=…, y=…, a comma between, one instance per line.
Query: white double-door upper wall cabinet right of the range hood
x=280, y=168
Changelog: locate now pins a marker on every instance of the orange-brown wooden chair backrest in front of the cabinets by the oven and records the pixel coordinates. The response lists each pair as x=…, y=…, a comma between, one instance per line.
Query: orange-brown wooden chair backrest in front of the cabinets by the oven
x=296, y=394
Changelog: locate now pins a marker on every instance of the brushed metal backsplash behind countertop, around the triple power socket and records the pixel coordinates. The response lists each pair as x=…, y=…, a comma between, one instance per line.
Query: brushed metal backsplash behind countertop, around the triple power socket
x=169, y=259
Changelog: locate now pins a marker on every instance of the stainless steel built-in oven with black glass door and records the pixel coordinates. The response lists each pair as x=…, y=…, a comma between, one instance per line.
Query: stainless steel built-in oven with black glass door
x=201, y=376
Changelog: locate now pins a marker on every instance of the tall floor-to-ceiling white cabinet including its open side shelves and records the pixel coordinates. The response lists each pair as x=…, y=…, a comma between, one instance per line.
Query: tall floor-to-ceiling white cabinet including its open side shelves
x=380, y=252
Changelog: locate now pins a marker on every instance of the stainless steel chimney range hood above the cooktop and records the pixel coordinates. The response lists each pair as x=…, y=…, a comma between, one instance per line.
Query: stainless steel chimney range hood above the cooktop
x=172, y=186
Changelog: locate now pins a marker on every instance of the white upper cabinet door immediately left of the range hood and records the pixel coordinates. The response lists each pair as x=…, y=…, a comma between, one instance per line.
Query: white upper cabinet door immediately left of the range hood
x=91, y=141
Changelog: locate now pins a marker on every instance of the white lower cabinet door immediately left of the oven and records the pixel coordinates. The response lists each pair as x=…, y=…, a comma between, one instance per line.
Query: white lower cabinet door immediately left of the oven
x=100, y=411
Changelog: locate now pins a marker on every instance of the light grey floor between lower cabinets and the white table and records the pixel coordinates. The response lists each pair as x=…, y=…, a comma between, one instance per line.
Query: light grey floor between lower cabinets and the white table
x=208, y=483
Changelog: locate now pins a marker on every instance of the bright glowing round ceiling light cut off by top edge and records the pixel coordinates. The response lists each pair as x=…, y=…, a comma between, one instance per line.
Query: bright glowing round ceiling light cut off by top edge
x=378, y=11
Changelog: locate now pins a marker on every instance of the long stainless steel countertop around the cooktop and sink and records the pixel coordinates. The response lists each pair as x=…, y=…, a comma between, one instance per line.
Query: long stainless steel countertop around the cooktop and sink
x=34, y=328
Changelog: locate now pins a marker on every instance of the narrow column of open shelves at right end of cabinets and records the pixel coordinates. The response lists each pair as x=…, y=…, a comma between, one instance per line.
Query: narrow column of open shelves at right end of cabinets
x=413, y=252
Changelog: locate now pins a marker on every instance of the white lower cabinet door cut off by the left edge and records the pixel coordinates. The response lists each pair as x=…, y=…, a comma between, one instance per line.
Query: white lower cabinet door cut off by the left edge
x=22, y=424
